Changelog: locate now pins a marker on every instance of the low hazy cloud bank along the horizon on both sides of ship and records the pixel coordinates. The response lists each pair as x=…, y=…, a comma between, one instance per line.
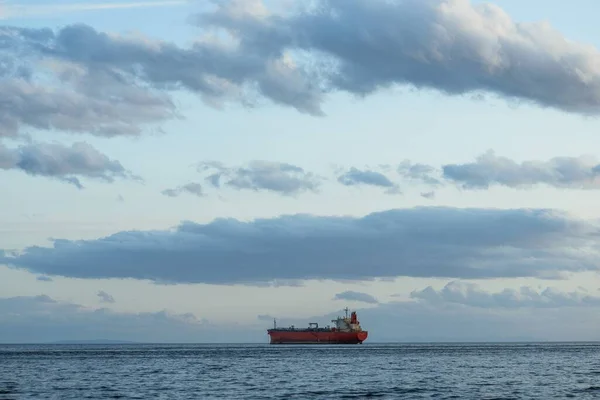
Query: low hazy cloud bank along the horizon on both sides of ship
x=40, y=319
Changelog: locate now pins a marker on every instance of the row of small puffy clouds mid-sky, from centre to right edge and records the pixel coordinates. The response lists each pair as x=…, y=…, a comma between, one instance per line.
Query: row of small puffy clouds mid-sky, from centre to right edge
x=489, y=169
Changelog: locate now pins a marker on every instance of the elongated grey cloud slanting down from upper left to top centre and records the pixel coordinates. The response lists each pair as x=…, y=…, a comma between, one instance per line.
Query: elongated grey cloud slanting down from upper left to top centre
x=216, y=71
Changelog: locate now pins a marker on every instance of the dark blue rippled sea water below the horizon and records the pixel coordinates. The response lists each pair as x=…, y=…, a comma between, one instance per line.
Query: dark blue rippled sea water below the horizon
x=417, y=371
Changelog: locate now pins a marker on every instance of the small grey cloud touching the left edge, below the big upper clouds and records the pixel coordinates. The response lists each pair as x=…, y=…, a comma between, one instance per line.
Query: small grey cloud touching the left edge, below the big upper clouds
x=65, y=163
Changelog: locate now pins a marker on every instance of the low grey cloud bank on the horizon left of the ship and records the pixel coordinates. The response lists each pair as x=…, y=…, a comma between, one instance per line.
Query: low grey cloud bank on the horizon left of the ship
x=42, y=319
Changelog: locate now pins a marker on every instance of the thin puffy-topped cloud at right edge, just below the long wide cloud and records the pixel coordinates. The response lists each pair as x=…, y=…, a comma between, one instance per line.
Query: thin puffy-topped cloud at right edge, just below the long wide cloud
x=472, y=295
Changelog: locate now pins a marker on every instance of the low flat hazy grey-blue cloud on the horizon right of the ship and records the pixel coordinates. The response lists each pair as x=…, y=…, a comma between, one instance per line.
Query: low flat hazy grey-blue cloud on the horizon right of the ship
x=418, y=321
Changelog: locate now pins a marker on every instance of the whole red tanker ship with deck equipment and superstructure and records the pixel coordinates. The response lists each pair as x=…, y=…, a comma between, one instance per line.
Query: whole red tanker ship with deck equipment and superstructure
x=346, y=331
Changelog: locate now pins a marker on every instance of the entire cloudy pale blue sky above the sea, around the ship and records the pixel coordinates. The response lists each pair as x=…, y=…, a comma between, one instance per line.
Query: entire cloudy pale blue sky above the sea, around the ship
x=187, y=171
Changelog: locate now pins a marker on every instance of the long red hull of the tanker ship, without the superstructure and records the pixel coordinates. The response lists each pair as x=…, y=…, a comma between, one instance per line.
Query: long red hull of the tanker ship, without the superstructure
x=312, y=337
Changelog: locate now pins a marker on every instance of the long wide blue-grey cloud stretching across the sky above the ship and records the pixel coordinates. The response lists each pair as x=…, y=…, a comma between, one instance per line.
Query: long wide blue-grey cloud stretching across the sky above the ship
x=416, y=242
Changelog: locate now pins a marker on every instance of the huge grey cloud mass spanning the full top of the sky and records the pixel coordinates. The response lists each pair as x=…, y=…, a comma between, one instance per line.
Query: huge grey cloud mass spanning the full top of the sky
x=80, y=80
